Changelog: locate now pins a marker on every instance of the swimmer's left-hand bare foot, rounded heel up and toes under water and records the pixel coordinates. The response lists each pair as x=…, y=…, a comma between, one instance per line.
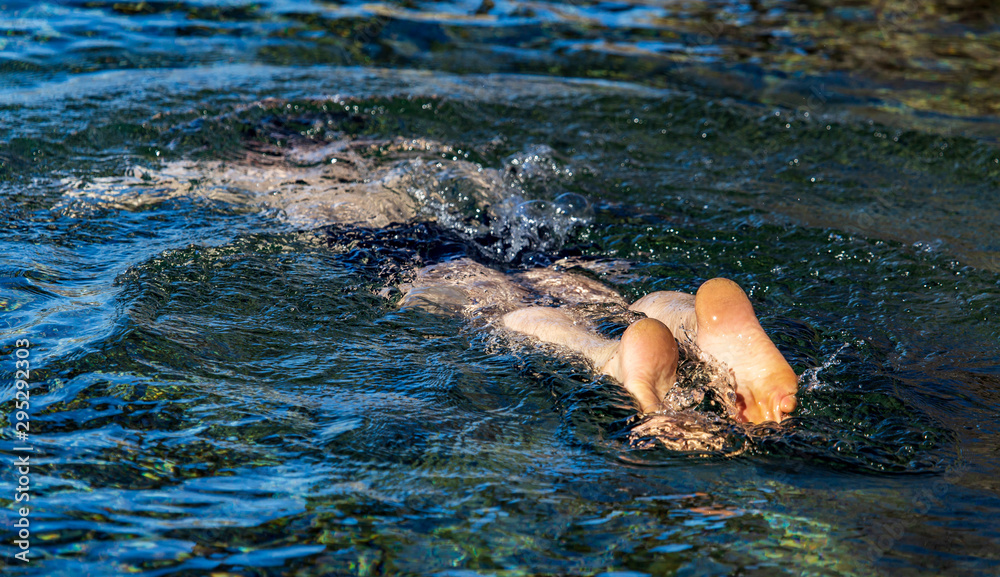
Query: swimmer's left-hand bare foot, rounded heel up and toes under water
x=646, y=363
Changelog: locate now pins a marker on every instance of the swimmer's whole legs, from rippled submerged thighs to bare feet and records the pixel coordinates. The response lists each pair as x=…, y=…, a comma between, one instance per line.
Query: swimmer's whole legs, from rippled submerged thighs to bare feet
x=718, y=321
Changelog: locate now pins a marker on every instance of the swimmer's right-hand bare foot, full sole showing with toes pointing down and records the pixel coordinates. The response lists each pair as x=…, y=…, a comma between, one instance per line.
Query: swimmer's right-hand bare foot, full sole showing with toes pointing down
x=728, y=330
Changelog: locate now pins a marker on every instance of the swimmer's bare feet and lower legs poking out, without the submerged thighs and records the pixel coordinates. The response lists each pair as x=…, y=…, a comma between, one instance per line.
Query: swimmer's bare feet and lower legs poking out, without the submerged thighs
x=719, y=320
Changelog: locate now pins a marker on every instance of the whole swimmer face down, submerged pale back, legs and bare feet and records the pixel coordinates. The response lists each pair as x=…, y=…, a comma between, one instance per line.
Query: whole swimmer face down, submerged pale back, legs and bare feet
x=718, y=321
